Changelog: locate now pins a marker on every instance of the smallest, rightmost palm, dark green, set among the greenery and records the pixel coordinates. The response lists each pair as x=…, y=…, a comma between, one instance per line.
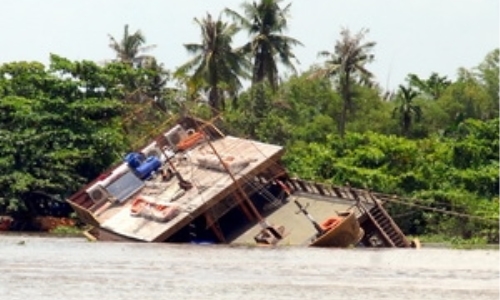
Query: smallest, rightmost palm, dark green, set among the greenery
x=406, y=111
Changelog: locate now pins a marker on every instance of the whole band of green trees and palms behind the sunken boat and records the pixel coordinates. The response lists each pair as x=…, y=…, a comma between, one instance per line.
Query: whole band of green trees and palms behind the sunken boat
x=435, y=141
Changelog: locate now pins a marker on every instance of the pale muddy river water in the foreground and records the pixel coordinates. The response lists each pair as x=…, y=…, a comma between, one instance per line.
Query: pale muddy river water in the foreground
x=34, y=267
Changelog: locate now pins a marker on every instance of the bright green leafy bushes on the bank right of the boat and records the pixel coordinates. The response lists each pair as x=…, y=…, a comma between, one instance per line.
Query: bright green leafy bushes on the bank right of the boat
x=430, y=175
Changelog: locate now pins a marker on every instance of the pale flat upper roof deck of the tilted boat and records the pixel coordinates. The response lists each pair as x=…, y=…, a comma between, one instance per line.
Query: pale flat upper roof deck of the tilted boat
x=211, y=184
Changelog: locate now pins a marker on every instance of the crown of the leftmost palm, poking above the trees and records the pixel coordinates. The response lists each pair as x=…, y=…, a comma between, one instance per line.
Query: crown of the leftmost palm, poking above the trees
x=130, y=47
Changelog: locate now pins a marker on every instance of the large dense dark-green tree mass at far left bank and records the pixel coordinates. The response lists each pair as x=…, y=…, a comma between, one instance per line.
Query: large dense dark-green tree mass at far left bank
x=58, y=130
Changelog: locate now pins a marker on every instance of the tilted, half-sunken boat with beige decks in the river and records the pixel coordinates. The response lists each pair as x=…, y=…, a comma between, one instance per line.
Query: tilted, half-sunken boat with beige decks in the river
x=193, y=183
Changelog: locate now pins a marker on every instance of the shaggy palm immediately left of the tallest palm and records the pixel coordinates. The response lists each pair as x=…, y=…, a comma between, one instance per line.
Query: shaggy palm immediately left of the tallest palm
x=216, y=66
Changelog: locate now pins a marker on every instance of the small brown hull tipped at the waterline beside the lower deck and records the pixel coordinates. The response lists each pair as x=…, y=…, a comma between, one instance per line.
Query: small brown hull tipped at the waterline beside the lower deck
x=345, y=233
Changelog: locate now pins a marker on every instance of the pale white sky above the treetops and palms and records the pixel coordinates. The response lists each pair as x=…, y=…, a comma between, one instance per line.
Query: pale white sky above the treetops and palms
x=413, y=36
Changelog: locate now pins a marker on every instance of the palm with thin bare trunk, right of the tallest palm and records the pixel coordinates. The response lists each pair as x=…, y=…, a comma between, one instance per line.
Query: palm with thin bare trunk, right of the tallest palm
x=346, y=64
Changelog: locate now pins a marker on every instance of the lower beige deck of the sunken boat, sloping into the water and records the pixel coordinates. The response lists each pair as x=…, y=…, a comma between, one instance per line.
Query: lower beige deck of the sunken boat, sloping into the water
x=298, y=229
